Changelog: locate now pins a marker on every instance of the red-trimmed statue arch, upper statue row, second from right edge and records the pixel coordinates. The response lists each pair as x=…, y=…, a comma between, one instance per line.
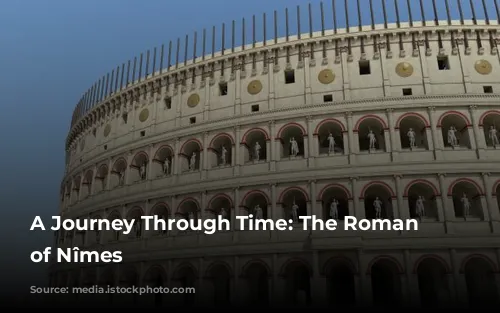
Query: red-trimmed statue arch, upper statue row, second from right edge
x=458, y=121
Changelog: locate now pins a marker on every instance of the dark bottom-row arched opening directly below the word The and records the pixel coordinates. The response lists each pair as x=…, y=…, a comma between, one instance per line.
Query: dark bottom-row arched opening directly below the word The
x=340, y=284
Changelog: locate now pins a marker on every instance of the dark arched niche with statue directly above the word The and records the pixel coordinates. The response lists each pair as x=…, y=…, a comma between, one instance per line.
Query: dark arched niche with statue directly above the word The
x=335, y=202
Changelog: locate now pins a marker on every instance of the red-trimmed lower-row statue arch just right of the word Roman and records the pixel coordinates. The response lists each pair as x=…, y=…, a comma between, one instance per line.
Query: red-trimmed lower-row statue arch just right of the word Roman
x=422, y=188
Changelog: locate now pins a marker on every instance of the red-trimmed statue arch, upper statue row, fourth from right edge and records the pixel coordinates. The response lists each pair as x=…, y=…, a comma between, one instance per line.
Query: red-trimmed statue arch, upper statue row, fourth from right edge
x=374, y=124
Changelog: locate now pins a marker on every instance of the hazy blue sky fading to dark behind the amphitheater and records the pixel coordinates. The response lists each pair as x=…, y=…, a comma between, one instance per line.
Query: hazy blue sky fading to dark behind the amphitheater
x=52, y=51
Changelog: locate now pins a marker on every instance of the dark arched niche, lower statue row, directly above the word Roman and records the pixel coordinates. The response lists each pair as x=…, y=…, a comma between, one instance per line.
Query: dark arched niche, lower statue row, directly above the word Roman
x=378, y=202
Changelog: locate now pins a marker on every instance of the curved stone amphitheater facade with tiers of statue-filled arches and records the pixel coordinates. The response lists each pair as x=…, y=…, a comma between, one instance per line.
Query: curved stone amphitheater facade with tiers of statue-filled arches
x=154, y=147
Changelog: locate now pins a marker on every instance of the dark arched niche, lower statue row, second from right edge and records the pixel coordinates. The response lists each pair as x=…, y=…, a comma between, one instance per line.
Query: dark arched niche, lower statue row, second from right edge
x=467, y=200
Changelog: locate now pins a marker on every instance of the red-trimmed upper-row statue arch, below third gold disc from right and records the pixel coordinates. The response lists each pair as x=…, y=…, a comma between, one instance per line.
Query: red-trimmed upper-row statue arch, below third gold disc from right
x=324, y=129
